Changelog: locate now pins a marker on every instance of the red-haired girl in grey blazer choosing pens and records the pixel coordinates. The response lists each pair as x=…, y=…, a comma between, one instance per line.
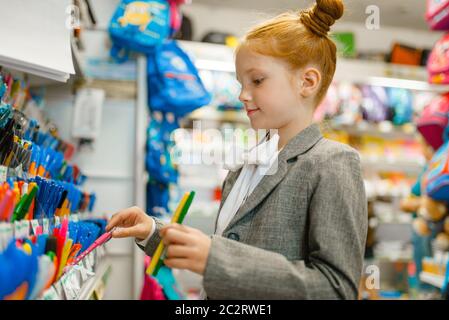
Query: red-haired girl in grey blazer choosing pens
x=298, y=233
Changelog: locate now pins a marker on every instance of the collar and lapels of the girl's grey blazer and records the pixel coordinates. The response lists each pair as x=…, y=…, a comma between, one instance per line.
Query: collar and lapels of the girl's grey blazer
x=300, y=144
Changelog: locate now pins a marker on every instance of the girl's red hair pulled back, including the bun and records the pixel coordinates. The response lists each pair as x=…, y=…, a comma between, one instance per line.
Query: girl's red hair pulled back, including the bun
x=300, y=38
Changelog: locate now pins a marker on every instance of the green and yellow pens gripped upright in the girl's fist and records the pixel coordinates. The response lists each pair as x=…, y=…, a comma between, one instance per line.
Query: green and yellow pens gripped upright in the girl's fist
x=178, y=217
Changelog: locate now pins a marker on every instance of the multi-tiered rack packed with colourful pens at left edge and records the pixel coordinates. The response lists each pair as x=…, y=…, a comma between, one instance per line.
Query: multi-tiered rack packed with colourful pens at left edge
x=46, y=220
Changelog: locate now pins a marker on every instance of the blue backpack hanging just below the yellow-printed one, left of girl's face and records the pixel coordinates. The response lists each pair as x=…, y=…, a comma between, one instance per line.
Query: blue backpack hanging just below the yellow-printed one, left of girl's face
x=173, y=81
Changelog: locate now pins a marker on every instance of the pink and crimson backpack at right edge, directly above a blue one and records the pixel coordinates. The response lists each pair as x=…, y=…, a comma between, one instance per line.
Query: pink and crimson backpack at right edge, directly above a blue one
x=433, y=121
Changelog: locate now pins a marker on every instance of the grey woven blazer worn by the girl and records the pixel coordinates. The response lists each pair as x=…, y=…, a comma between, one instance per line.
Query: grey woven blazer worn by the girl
x=300, y=234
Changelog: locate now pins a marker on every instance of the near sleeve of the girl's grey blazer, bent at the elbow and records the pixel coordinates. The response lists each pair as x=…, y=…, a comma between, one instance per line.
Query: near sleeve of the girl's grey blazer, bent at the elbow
x=337, y=226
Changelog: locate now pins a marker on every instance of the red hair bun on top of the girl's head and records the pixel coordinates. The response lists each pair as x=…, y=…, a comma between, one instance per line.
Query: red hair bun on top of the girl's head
x=321, y=16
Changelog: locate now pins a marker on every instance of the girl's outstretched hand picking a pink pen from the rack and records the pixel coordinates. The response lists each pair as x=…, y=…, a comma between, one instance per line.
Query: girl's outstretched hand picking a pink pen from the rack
x=131, y=222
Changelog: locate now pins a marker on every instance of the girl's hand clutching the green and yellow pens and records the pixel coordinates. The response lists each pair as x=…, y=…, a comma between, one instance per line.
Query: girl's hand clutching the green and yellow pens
x=187, y=248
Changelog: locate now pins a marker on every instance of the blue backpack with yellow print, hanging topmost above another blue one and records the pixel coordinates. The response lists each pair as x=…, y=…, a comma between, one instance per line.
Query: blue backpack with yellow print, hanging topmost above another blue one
x=139, y=26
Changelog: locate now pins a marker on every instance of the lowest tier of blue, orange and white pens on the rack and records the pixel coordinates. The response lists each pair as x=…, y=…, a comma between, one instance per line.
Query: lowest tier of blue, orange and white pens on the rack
x=35, y=260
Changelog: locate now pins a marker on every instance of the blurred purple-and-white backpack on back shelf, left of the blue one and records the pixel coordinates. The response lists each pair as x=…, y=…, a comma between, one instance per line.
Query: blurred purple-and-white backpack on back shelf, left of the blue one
x=375, y=104
